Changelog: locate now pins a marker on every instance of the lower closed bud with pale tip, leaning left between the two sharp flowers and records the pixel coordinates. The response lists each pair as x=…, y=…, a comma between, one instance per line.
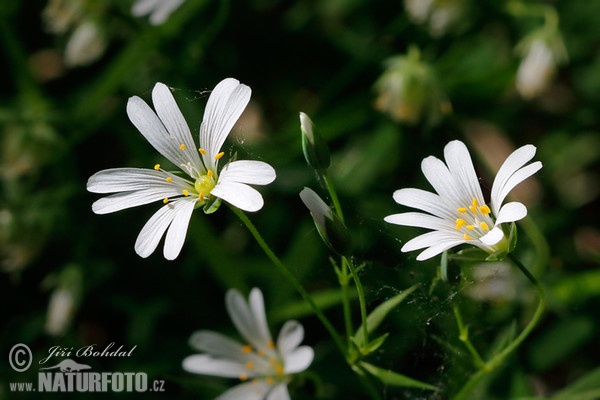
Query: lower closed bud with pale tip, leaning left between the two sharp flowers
x=331, y=229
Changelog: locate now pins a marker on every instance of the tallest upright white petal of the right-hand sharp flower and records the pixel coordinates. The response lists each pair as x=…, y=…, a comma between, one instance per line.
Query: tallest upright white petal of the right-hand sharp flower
x=461, y=167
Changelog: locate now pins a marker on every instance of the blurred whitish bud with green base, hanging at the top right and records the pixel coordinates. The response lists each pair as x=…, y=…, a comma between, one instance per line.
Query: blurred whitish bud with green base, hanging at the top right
x=542, y=52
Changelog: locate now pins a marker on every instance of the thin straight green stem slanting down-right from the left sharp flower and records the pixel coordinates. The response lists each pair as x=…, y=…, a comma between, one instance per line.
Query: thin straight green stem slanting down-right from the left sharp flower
x=290, y=277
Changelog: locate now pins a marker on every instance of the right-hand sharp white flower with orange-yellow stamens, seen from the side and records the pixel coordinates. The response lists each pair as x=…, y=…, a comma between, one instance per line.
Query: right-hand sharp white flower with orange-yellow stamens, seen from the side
x=458, y=214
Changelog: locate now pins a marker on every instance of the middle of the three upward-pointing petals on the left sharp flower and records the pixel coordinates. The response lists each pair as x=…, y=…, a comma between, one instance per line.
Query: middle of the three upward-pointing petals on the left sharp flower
x=173, y=120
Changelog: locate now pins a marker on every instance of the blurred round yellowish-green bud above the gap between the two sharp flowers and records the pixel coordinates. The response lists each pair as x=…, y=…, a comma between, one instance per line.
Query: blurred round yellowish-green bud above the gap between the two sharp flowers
x=409, y=91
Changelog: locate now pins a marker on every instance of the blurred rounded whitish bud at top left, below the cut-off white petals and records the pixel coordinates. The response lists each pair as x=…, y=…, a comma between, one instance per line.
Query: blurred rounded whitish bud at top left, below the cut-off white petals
x=86, y=44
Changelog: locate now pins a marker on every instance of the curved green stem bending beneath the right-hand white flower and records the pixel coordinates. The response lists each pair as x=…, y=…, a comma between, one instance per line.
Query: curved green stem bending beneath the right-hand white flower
x=500, y=357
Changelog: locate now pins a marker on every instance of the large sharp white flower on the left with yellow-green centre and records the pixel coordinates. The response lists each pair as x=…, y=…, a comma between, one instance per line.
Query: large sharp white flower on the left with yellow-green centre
x=170, y=136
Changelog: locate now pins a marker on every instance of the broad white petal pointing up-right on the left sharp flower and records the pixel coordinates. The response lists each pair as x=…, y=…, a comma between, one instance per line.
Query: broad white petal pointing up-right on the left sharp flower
x=224, y=107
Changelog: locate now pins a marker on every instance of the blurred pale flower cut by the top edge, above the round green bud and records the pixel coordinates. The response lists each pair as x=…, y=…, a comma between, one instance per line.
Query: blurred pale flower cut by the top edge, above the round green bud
x=440, y=15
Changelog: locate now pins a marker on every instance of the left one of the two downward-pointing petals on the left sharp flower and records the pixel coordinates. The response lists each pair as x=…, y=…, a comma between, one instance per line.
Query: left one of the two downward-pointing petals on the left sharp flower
x=153, y=230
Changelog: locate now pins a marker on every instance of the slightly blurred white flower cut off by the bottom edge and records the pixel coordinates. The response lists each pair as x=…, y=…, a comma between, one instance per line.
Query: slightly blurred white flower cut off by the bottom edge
x=263, y=366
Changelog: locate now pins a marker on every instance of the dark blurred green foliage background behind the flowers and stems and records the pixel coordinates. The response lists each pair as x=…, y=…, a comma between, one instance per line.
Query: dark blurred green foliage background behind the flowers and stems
x=63, y=119
